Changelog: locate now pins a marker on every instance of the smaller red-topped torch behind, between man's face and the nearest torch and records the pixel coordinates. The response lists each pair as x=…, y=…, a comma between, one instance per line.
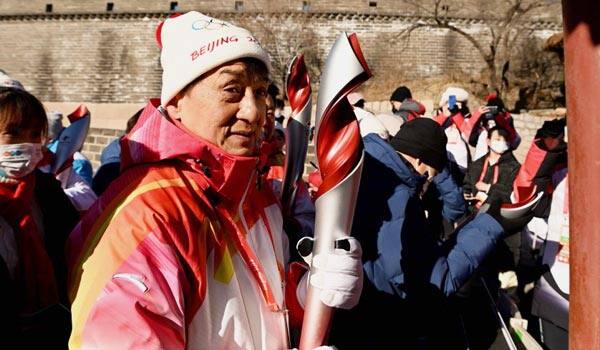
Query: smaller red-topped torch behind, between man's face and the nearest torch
x=296, y=140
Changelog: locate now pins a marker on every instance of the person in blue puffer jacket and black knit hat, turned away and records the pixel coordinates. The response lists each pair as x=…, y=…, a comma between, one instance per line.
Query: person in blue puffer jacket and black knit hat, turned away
x=409, y=275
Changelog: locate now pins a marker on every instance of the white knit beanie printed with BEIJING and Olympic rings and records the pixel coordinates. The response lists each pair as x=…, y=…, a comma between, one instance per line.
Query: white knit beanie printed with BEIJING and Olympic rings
x=193, y=44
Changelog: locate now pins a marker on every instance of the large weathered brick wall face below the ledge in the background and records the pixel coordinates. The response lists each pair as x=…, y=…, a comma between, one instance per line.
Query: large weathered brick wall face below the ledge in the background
x=113, y=57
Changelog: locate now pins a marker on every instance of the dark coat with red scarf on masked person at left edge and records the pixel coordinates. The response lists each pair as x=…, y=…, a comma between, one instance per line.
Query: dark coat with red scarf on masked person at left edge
x=33, y=271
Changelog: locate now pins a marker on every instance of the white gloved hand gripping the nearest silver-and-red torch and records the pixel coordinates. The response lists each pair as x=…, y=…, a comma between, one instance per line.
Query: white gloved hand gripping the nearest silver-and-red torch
x=339, y=274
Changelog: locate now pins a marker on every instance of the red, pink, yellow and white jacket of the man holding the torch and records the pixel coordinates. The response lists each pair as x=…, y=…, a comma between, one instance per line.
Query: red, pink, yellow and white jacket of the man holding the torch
x=185, y=250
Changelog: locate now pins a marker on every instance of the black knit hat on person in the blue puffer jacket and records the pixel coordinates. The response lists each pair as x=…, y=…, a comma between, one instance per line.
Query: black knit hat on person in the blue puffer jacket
x=425, y=139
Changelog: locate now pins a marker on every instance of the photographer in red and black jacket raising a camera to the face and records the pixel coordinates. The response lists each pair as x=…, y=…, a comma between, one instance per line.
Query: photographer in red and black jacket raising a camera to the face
x=493, y=114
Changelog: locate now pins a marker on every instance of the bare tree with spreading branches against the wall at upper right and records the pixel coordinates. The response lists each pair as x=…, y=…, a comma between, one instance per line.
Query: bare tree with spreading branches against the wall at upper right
x=507, y=23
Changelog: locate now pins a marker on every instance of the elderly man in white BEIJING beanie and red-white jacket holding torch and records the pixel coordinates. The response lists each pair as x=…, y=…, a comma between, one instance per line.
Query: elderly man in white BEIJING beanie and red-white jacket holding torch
x=186, y=248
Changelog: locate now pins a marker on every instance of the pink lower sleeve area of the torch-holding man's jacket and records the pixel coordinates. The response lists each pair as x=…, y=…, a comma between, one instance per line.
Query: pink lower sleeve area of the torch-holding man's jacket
x=142, y=305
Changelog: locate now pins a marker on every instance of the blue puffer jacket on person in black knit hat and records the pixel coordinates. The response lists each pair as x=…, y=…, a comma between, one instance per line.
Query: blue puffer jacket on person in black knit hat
x=390, y=223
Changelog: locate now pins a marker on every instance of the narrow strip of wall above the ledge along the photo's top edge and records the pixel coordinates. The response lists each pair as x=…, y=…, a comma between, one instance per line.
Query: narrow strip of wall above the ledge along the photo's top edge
x=457, y=8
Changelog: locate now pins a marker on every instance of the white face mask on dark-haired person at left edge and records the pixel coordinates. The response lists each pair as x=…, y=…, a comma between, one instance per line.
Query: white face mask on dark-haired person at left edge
x=18, y=160
